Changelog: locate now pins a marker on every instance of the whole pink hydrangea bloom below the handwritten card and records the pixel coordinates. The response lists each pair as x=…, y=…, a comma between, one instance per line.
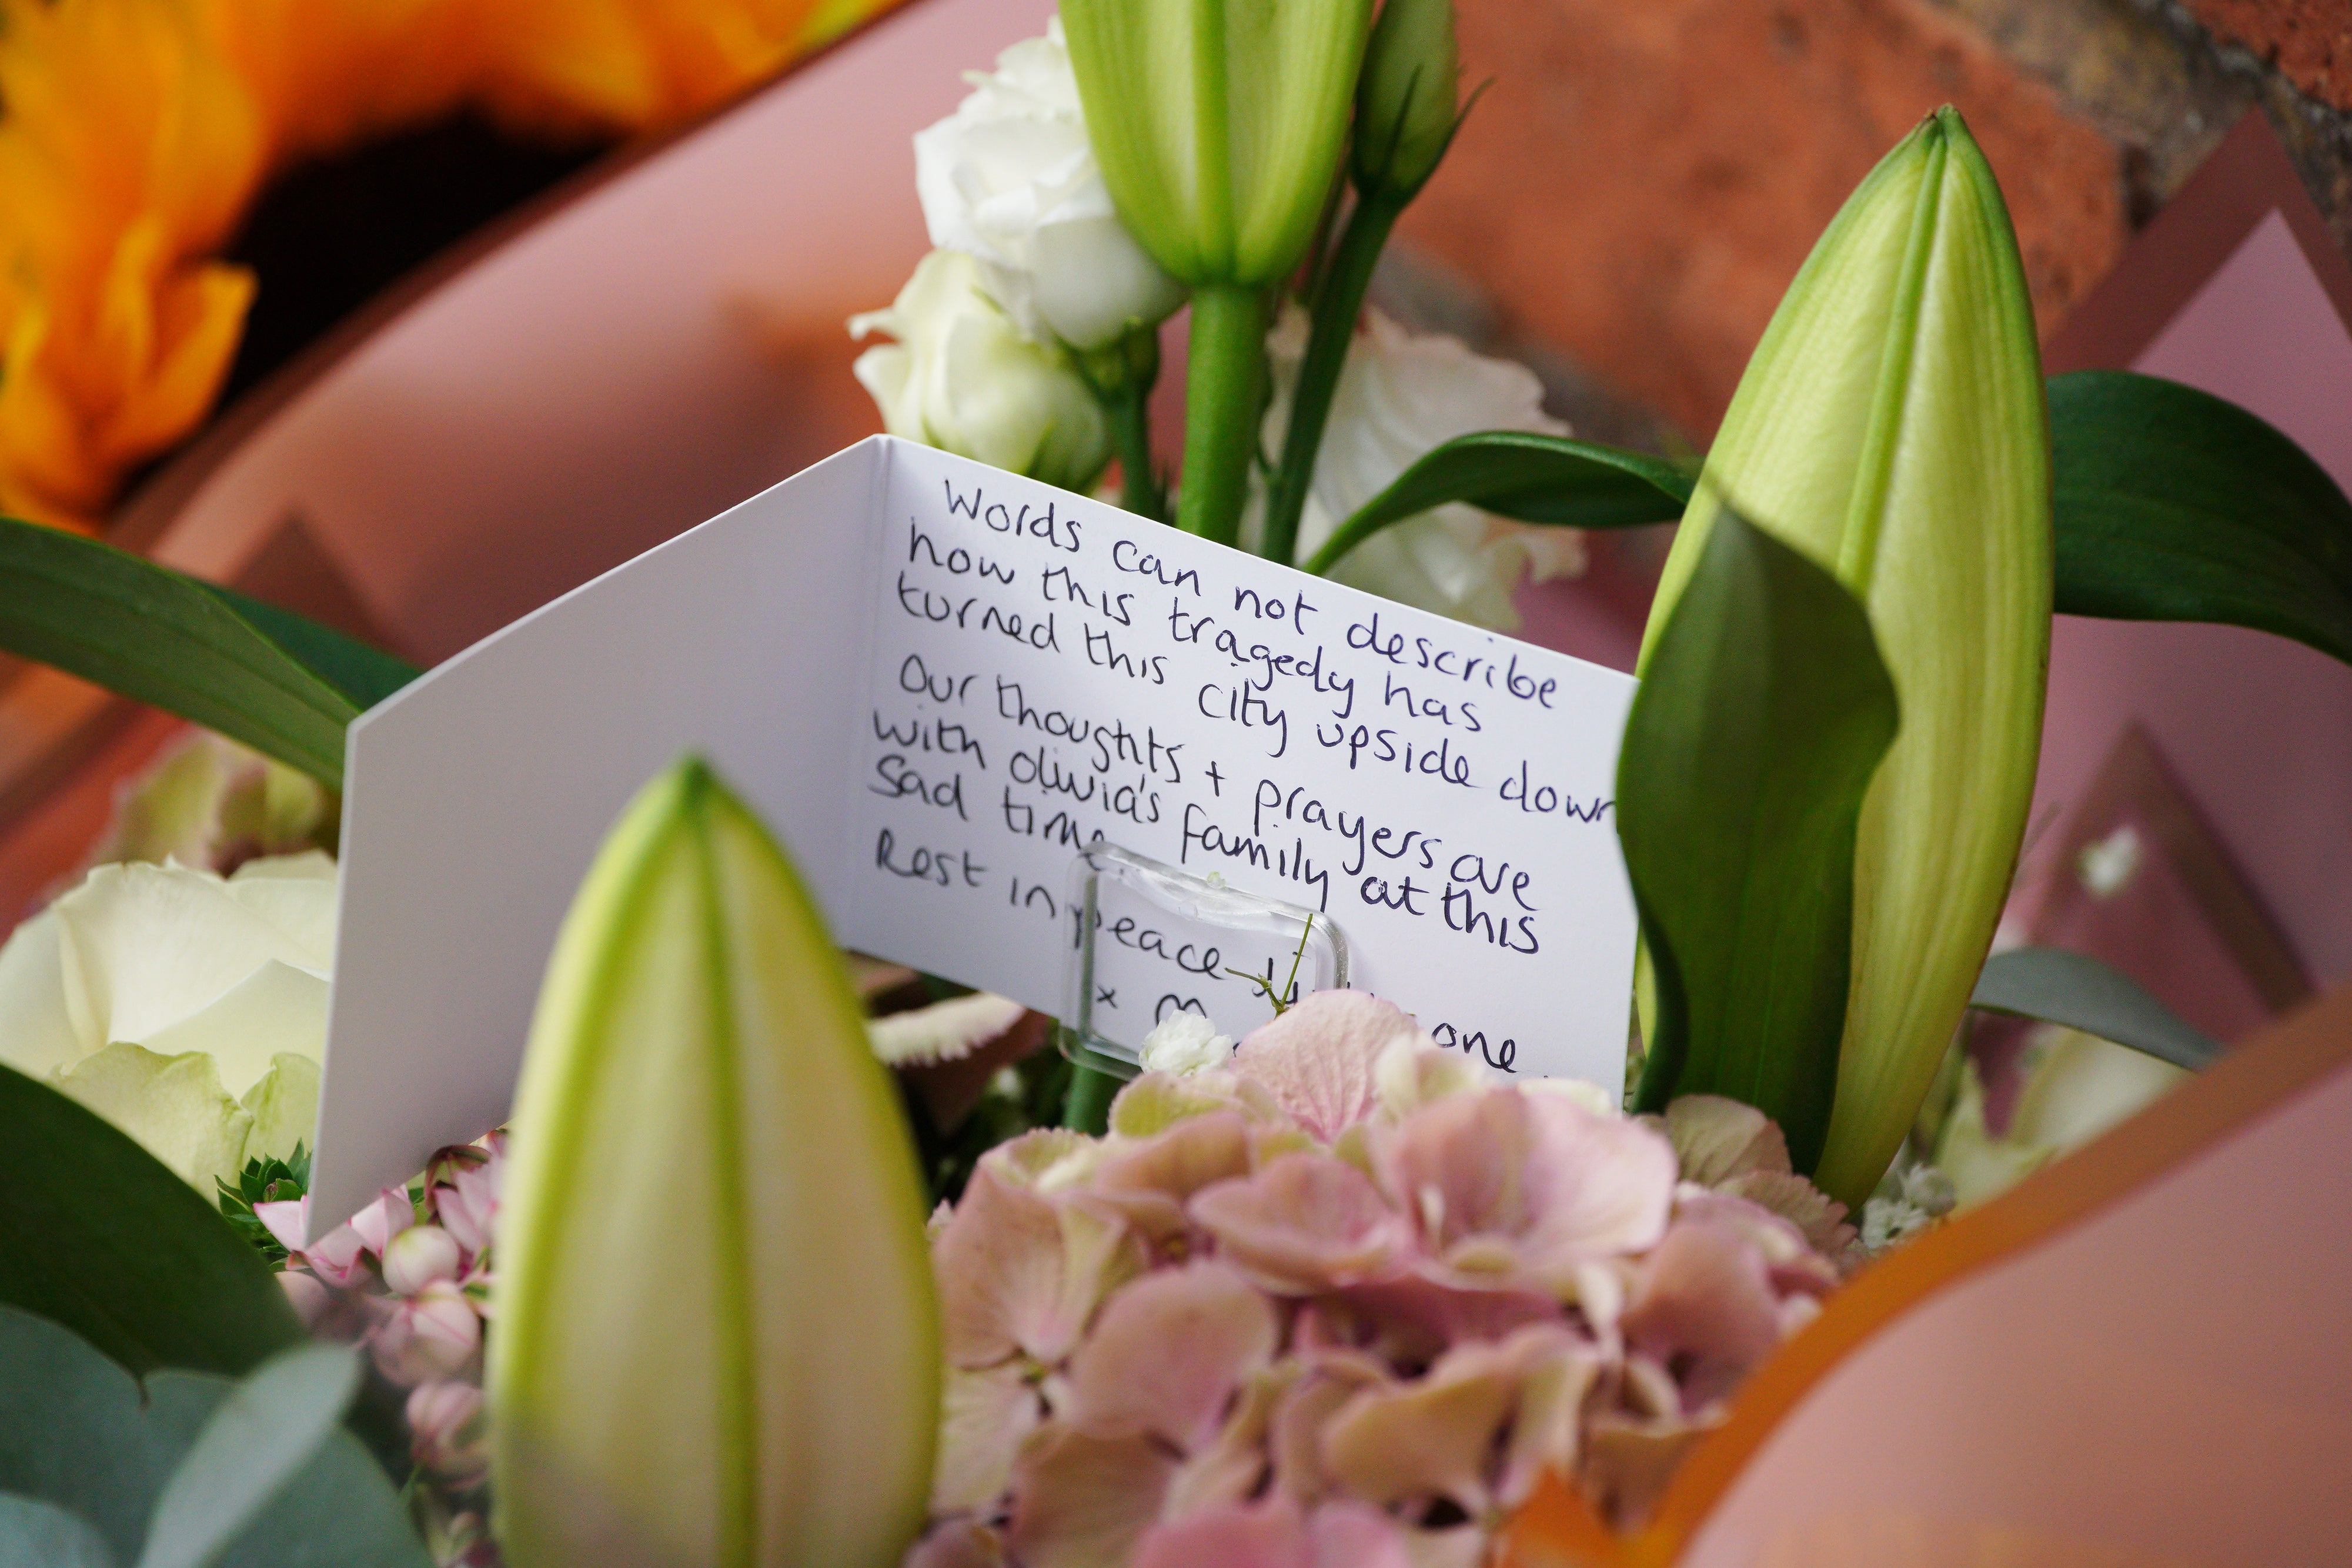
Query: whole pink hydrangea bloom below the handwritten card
x=1344, y=1301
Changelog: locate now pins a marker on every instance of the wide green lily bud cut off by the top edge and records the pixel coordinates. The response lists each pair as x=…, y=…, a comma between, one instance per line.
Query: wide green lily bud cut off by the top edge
x=1217, y=123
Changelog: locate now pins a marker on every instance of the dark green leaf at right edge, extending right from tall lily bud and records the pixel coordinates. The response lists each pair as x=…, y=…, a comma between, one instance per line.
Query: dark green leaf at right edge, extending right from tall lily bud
x=2181, y=507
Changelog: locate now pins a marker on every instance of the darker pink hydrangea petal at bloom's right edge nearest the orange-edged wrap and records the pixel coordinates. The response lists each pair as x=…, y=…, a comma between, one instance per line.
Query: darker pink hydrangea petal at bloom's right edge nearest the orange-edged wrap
x=1706, y=1308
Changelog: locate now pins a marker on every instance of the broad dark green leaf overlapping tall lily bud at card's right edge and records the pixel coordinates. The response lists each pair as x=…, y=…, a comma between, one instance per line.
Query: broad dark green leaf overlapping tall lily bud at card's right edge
x=1749, y=749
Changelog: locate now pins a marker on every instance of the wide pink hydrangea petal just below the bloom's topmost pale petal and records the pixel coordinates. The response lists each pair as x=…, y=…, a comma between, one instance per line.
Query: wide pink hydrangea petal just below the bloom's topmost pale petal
x=1307, y=1224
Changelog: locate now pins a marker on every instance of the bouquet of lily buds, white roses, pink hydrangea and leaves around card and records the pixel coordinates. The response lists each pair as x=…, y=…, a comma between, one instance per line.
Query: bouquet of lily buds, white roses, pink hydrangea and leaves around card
x=1321, y=1296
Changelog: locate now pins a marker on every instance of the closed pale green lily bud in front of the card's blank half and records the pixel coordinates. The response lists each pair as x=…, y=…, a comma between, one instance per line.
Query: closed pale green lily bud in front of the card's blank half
x=719, y=1336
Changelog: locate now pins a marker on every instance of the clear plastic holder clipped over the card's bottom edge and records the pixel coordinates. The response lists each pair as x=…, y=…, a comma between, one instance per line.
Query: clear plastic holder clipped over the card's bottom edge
x=1151, y=939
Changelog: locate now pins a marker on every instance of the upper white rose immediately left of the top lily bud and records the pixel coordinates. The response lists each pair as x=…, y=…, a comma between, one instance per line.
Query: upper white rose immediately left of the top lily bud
x=1010, y=180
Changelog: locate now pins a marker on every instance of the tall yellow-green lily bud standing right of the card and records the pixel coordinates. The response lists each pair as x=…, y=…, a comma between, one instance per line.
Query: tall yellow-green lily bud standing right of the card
x=1892, y=429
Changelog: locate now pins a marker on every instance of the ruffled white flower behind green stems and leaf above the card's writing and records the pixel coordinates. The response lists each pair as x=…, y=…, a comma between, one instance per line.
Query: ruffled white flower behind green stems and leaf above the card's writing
x=1398, y=396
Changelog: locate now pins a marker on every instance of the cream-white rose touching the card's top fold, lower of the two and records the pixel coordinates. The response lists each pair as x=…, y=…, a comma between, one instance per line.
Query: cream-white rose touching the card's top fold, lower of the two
x=963, y=380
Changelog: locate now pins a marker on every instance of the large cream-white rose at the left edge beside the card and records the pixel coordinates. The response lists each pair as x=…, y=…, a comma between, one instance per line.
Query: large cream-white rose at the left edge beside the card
x=185, y=1007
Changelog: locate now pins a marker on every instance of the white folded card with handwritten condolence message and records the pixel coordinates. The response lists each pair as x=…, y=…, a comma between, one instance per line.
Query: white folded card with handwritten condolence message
x=940, y=683
